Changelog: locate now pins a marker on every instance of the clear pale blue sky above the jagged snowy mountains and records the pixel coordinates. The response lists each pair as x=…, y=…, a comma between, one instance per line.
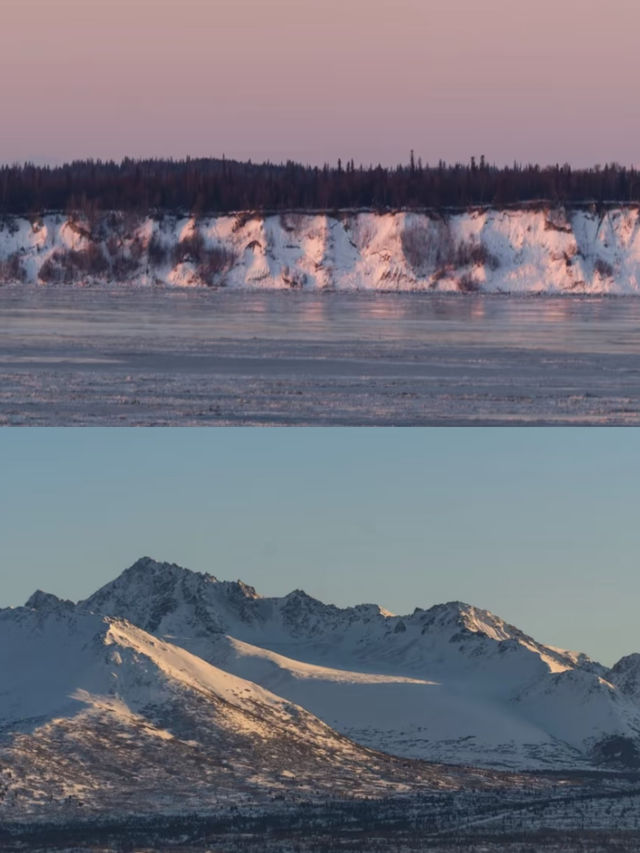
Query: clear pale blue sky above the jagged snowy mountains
x=538, y=525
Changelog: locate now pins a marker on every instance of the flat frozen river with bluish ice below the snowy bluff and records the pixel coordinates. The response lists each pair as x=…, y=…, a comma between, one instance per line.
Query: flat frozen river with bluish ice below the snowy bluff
x=201, y=357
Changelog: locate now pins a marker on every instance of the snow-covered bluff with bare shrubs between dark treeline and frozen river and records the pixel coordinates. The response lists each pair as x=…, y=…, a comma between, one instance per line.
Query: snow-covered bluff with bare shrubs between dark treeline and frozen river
x=528, y=250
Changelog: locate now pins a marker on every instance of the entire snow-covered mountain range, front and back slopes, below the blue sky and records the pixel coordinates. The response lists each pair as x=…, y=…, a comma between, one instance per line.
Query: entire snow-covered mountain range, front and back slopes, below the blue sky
x=170, y=695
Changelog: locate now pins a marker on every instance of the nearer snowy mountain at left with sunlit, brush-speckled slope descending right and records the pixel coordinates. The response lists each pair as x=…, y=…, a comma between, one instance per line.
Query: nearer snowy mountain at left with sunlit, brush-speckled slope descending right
x=98, y=716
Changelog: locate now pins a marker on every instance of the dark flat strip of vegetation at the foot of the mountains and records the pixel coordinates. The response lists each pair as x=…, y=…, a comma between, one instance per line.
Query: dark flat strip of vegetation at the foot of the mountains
x=516, y=821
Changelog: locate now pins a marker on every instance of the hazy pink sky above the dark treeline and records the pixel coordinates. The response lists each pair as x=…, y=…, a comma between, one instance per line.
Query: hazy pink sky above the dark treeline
x=312, y=80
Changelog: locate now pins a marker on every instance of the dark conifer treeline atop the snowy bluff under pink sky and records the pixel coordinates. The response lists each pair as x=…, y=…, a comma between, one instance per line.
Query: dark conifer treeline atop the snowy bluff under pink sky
x=217, y=185
